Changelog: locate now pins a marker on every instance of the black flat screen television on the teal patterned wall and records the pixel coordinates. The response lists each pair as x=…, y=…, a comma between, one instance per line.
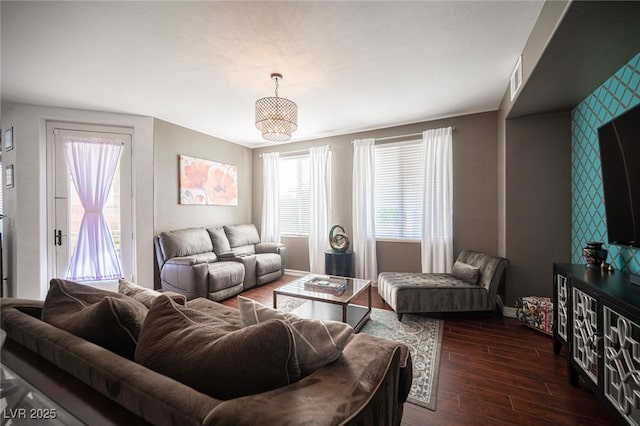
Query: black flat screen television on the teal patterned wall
x=620, y=155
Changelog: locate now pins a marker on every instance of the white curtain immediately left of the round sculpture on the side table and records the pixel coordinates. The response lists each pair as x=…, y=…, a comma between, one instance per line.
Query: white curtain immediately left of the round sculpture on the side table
x=319, y=206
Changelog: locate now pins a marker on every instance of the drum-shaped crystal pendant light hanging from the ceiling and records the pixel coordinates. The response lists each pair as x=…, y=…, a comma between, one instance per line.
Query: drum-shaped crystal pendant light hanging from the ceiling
x=276, y=117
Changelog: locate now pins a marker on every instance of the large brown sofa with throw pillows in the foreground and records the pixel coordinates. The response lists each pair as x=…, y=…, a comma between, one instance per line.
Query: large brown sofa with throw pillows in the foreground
x=366, y=385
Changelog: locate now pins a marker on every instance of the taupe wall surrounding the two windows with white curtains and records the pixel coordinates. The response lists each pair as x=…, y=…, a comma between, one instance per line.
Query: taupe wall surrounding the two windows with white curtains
x=475, y=181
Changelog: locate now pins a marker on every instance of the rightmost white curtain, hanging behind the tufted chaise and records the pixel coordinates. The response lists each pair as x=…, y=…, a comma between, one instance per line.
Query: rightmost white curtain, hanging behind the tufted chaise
x=437, y=202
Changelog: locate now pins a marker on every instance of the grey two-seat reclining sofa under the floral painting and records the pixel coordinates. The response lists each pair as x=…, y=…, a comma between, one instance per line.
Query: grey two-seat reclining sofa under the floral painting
x=218, y=262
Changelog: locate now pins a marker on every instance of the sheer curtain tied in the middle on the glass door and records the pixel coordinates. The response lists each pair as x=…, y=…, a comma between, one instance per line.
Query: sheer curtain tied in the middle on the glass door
x=92, y=163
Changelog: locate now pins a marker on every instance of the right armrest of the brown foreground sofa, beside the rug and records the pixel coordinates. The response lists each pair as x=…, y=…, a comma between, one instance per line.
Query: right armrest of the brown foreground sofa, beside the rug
x=363, y=387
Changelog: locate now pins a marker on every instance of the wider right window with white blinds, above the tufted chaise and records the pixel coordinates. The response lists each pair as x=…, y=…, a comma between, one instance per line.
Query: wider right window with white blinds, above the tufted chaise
x=399, y=176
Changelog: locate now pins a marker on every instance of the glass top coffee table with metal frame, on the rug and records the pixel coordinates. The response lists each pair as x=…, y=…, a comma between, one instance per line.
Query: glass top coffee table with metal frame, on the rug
x=326, y=303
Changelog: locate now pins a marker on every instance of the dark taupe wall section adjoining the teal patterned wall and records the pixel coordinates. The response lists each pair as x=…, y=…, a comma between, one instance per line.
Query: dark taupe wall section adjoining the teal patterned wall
x=538, y=201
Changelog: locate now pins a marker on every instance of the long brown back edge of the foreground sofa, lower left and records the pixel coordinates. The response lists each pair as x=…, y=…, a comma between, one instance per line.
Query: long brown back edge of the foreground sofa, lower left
x=155, y=398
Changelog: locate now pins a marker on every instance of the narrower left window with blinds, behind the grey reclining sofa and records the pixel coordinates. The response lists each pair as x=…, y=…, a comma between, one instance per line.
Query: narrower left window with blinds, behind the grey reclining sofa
x=294, y=195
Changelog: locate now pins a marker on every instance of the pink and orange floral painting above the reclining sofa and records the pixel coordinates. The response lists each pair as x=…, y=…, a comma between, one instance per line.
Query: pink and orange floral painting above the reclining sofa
x=208, y=182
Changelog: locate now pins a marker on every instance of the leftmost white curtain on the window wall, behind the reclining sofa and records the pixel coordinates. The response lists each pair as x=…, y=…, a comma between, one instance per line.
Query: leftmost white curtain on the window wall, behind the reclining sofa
x=270, y=224
